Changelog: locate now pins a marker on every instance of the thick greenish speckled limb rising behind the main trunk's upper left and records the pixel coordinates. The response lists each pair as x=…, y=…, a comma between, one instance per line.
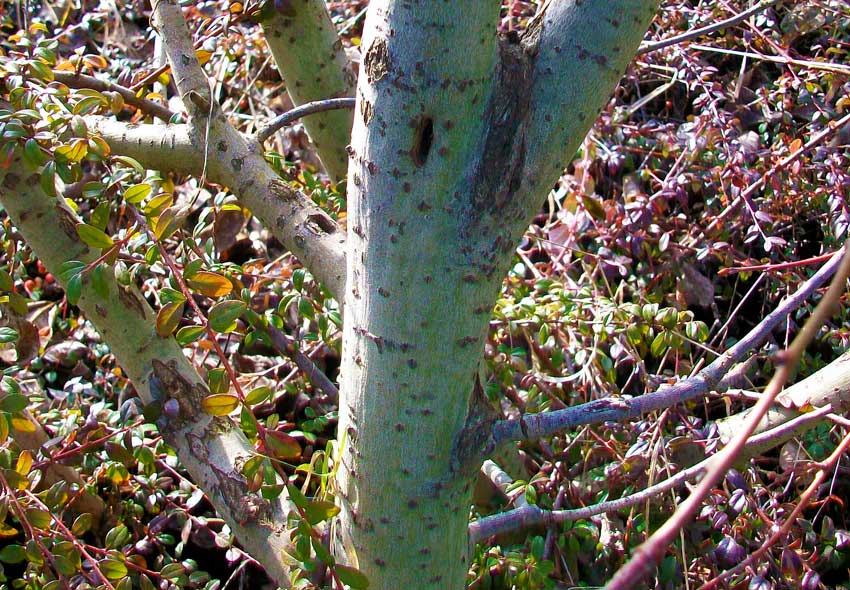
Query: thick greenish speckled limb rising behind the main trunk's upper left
x=313, y=63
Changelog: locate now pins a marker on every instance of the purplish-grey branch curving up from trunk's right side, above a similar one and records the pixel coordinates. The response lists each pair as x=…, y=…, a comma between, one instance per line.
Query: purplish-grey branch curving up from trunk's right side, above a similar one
x=531, y=427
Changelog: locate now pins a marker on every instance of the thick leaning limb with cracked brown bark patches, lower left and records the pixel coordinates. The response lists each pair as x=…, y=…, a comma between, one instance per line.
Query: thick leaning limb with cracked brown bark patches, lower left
x=211, y=449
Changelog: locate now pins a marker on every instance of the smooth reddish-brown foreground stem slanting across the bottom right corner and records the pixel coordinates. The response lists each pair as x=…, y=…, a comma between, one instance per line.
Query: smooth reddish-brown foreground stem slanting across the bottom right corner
x=645, y=557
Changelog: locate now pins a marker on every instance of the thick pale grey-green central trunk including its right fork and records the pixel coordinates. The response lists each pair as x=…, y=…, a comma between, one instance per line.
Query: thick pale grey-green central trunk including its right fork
x=449, y=162
